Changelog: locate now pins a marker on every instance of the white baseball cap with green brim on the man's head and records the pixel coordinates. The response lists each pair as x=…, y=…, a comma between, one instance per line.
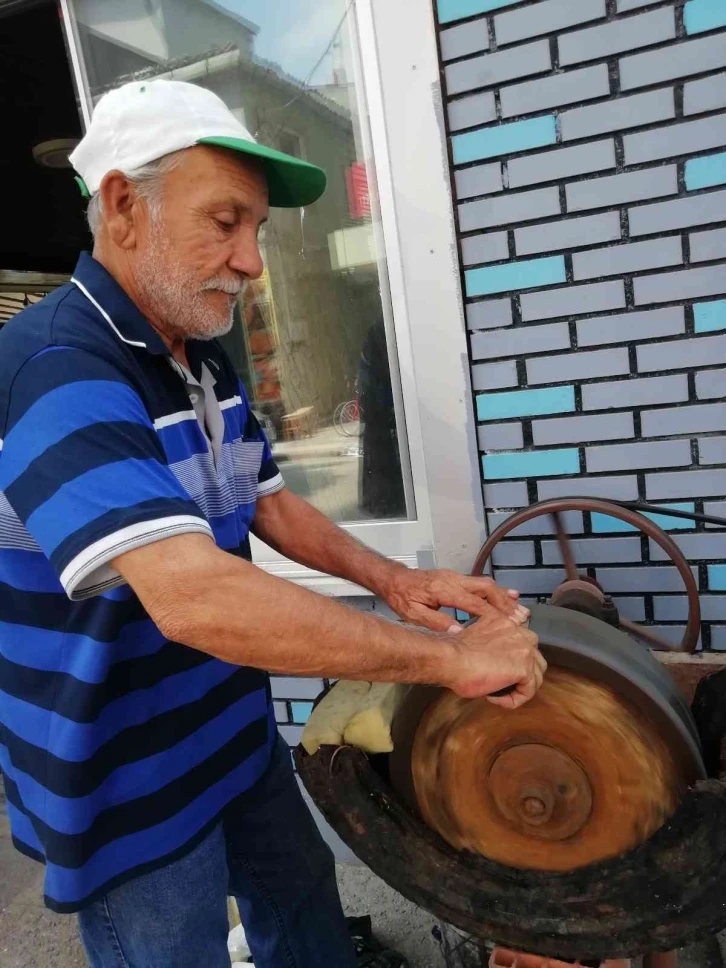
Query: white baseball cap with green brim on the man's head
x=142, y=121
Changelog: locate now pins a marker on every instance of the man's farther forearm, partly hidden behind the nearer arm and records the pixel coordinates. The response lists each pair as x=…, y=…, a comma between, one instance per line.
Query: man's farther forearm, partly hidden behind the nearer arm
x=299, y=531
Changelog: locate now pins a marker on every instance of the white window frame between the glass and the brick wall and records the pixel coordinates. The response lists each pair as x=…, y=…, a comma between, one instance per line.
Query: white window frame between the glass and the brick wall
x=400, y=69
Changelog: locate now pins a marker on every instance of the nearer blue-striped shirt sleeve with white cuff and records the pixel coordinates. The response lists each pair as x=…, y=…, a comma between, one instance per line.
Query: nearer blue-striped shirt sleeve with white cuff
x=84, y=470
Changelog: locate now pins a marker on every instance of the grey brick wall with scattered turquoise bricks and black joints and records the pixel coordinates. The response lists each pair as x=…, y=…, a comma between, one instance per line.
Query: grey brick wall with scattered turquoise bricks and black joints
x=587, y=142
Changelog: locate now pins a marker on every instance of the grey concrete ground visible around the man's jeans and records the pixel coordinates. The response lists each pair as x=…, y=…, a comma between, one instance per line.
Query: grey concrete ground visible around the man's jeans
x=33, y=937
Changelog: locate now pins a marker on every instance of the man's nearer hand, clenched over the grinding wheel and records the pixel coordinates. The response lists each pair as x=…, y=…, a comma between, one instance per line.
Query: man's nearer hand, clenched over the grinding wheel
x=495, y=653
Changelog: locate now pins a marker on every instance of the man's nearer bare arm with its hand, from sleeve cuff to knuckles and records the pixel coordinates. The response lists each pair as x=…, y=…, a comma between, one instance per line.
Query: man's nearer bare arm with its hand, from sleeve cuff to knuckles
x=225, y=606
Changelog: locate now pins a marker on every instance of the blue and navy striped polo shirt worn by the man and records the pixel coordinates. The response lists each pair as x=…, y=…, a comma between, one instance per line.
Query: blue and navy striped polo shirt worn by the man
x=119, y=748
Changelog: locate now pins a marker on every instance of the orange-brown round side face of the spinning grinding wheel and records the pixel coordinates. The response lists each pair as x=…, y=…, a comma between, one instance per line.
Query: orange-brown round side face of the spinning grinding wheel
x=575, y=777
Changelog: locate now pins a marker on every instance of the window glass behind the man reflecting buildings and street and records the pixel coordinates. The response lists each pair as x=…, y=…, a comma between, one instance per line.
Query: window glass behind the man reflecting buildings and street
x=312, y=338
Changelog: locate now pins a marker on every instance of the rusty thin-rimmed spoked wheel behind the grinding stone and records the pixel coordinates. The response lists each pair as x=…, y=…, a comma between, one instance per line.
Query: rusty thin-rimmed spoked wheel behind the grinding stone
x=579, y=586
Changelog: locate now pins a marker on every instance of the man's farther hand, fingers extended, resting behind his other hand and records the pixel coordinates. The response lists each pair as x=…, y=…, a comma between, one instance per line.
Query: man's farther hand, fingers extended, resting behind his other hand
x=417, y=597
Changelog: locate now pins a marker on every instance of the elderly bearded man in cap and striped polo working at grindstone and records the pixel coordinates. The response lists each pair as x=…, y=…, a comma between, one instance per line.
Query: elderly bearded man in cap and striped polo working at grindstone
x=141, y=759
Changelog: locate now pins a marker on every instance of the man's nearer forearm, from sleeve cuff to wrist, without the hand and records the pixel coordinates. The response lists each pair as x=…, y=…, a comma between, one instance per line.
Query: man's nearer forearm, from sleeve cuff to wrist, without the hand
x=227, y=607
